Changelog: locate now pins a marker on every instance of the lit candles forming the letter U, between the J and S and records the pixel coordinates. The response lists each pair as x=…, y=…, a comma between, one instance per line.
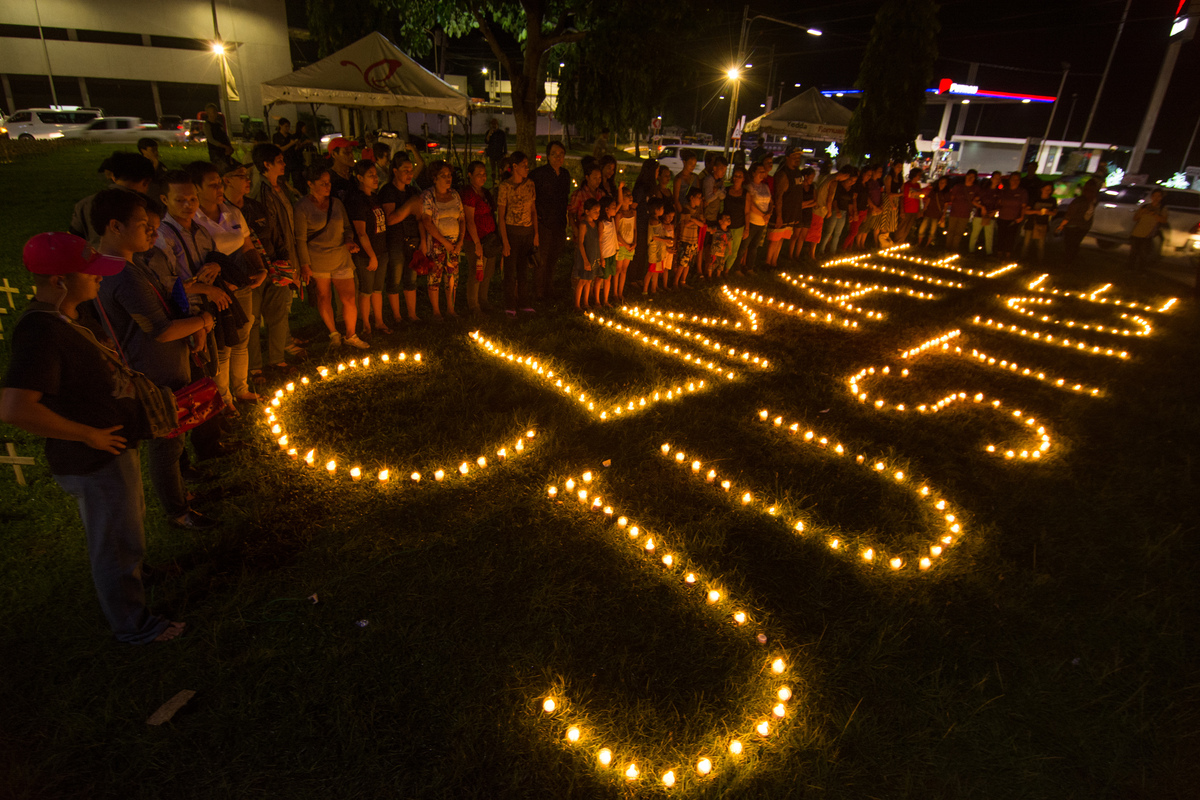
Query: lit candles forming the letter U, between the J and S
x=748, y=498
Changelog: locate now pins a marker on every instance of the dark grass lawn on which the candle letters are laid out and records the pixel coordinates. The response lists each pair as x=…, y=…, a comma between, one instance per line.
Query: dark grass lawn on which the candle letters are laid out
x=1049, y=652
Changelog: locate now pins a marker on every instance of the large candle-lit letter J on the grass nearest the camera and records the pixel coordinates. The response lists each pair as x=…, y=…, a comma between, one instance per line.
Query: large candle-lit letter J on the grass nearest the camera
x=733, y=745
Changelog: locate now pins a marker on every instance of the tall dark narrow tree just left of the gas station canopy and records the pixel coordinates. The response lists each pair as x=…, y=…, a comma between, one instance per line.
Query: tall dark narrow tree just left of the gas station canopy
x=895, y=75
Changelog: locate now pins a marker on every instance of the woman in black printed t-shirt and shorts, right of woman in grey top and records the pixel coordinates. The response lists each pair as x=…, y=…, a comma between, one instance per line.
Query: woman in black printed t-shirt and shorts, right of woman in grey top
x=371, y=233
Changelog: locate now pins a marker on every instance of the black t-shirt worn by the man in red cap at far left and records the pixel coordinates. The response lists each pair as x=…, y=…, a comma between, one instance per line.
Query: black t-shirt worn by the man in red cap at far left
x=79, y=382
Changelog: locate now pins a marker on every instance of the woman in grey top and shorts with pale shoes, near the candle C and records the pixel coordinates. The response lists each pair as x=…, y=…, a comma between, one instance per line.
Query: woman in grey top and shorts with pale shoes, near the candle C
x=325, y=243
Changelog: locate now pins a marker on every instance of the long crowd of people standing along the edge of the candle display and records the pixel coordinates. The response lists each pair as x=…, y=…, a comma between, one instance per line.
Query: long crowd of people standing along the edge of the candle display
x=203, y=264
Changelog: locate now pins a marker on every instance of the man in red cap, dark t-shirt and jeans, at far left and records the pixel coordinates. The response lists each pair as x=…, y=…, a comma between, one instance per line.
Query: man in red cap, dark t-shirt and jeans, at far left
x=64, y=386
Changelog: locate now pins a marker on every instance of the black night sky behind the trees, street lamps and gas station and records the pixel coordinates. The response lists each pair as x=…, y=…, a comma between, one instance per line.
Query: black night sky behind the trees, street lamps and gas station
x=1022, y=46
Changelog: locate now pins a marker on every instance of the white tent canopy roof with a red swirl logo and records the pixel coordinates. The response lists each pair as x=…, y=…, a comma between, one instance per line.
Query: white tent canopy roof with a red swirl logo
x=370, y=74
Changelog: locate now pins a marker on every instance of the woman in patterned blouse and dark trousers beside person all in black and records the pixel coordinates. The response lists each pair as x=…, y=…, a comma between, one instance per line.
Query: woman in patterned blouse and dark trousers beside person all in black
x=518, y=222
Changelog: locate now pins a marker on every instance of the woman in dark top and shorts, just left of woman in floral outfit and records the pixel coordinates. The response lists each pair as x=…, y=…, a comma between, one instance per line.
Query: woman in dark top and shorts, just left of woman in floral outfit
x=403, y=204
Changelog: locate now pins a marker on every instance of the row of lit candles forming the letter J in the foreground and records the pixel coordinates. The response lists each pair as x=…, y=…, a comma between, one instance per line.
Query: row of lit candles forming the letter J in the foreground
x=577, y=733
